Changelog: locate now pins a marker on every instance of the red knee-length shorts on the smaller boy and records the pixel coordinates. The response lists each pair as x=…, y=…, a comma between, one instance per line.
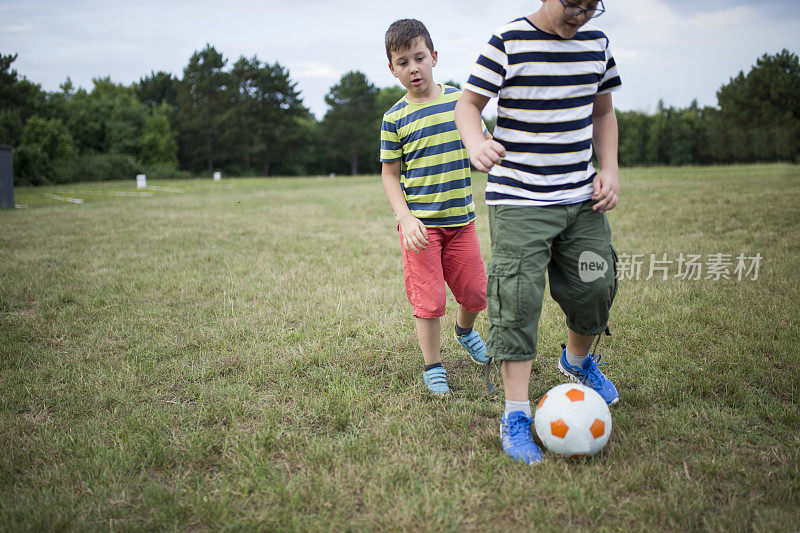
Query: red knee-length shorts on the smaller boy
x=453, y=256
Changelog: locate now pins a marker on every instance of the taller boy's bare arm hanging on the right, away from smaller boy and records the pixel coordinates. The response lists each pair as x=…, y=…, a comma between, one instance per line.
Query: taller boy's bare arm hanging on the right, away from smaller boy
x=604, y=139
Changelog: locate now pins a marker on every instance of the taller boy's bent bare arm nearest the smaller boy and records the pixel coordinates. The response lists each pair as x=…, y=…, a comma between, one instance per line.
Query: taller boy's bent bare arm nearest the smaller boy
x=483, y=152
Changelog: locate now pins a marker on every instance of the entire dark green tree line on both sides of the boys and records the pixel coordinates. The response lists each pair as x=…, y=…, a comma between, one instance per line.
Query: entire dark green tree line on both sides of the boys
x=248, y=118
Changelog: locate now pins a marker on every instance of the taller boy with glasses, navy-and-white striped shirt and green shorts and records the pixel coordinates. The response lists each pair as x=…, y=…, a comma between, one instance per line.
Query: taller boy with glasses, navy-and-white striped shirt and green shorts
x=553, y=77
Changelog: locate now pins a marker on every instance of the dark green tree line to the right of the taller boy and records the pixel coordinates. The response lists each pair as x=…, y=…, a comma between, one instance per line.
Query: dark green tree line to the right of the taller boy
x=757, y=119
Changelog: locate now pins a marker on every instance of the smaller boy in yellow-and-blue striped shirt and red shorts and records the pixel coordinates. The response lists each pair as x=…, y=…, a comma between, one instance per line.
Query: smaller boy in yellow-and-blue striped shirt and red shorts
x=426, y=177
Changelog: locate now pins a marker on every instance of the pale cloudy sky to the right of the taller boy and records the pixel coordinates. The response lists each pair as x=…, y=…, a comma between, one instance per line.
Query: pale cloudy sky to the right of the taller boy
x=681, y=56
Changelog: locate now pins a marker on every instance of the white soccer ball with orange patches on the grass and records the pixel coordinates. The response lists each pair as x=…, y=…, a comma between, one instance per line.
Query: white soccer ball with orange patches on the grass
x=573, y=420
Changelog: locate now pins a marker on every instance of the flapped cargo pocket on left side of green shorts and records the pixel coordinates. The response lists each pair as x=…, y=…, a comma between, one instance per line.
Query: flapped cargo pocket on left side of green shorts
x=505, y=291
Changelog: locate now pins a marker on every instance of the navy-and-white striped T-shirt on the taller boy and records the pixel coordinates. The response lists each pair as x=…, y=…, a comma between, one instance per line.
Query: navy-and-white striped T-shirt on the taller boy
x=546, y=87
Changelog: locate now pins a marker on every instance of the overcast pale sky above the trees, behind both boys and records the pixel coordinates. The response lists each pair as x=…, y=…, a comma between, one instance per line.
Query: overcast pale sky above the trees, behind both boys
x=675, y=50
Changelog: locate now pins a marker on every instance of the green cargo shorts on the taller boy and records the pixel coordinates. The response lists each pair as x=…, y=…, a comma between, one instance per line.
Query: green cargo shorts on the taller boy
x=572, y=244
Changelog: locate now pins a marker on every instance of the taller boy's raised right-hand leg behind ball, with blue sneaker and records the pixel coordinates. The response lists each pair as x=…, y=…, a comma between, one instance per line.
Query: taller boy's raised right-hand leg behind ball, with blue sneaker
x=583, y=282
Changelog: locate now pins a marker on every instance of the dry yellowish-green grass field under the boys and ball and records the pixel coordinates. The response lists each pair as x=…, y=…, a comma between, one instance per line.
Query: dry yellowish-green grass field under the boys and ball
x=241, y=356
